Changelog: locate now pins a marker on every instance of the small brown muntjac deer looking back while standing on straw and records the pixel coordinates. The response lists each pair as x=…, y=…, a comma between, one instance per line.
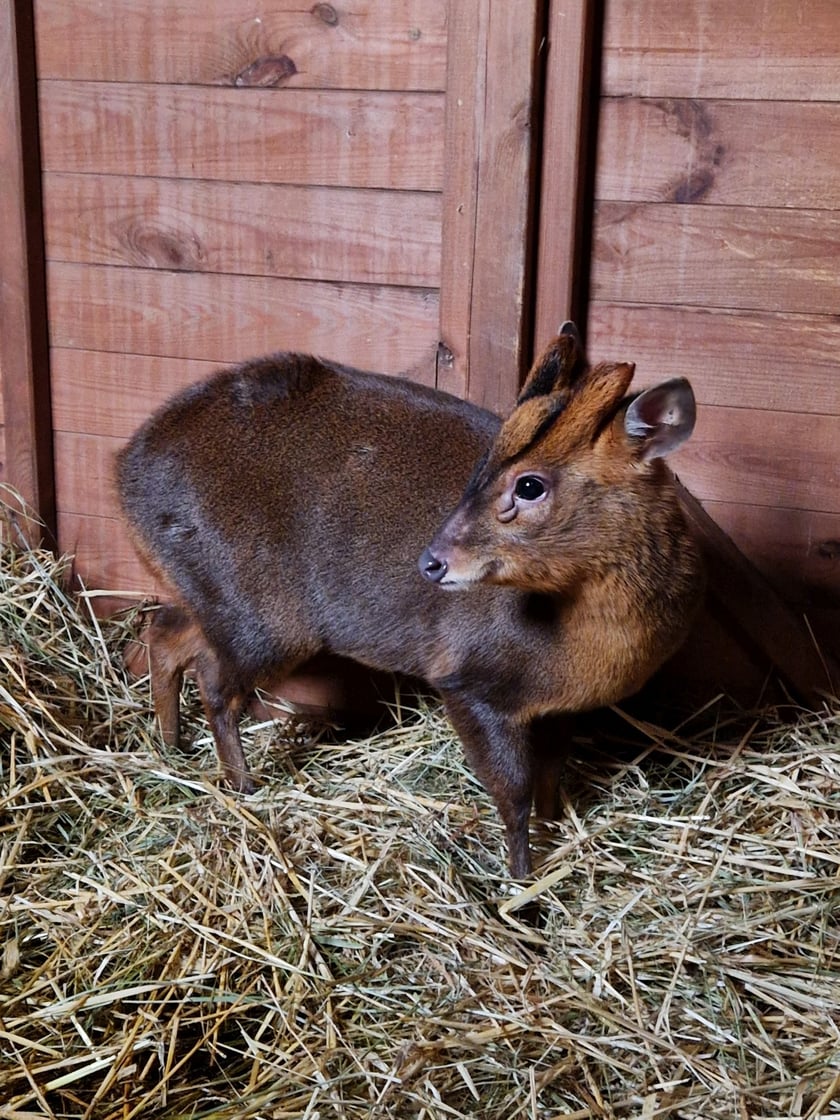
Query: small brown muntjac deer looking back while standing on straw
x=290, y=502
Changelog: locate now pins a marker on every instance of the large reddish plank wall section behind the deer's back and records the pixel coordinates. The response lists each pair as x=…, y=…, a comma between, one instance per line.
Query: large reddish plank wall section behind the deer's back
x=223, y=180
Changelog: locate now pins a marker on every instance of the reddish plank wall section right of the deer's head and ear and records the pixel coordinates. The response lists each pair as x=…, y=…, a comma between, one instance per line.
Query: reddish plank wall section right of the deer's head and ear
x=716, y=255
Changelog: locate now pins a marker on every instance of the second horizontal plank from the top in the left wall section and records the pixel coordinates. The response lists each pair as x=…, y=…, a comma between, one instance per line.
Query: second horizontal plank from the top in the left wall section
x=335, y=138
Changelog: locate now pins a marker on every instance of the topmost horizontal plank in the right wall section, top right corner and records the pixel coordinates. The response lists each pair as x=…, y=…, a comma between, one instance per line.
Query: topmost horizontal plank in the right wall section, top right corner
x=714, y=49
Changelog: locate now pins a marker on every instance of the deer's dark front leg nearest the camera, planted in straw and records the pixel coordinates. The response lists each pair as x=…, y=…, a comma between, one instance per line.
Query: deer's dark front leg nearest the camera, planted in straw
x=498, y=749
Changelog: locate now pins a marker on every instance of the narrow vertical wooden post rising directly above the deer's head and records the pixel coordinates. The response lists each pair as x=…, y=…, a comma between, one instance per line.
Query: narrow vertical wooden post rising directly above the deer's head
x=561, y=292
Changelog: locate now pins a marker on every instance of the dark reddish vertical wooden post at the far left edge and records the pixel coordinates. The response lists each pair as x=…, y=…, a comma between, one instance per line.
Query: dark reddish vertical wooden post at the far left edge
x=24, y=340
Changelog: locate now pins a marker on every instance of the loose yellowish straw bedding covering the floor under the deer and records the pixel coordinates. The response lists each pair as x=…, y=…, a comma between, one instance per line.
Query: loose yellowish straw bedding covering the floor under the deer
x=346, y=944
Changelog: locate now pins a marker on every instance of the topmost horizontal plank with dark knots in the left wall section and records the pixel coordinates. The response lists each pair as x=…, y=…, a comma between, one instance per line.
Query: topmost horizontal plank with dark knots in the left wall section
x=399, y=45
